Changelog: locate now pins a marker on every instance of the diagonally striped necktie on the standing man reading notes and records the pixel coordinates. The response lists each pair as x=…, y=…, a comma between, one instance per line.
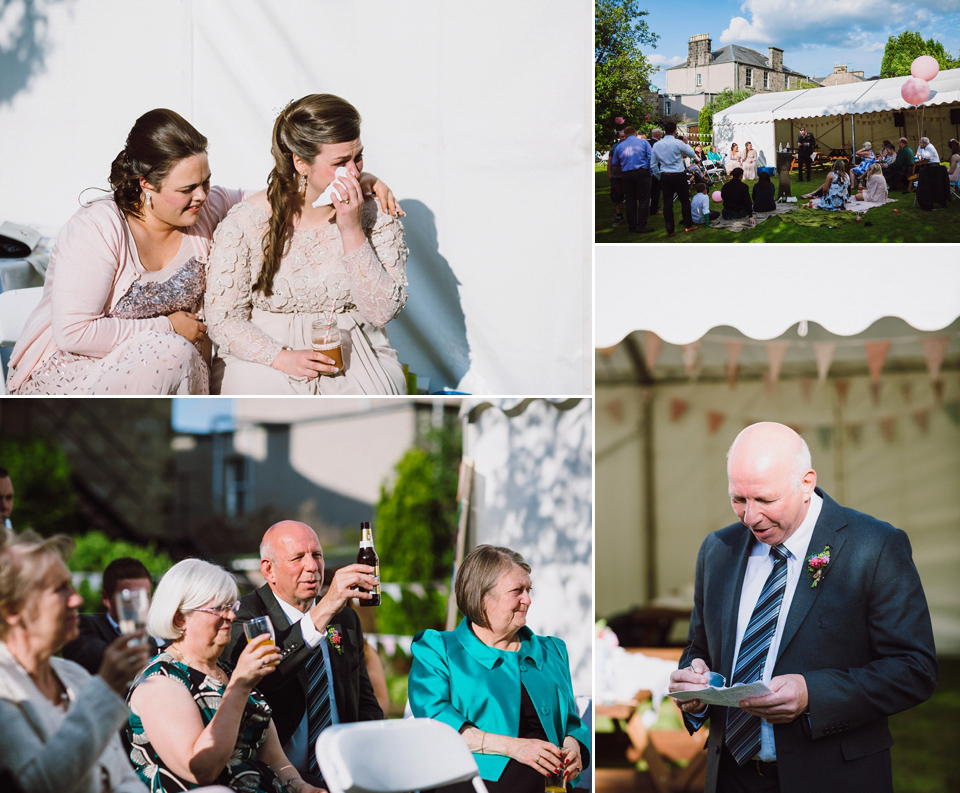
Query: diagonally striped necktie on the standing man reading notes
x=743, y=729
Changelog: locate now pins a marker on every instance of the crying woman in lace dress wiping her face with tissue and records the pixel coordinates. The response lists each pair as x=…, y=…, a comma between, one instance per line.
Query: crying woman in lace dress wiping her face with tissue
x=279, y=263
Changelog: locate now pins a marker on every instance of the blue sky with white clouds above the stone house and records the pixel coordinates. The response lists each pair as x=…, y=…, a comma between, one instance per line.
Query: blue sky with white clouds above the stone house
x=813, y=36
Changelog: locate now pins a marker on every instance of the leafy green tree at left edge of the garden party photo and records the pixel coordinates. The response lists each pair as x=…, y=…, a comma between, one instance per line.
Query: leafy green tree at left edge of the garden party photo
x=622, y=73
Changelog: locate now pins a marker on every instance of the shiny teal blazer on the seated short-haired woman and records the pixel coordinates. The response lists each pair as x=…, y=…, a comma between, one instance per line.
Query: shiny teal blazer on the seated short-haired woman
x=456, y=678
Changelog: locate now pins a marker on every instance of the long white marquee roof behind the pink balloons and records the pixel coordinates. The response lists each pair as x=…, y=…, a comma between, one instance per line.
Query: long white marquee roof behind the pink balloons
x=871, y=96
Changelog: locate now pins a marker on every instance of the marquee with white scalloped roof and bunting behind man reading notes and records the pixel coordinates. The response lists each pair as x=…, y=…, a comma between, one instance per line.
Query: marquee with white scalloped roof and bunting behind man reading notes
x=863, y=359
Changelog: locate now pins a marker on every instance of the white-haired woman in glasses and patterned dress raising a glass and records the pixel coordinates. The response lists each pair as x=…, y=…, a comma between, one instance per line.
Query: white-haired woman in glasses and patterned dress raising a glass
x=193, y=719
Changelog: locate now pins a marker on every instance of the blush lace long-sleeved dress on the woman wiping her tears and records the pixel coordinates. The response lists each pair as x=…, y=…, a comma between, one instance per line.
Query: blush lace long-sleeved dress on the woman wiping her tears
x=367, y=288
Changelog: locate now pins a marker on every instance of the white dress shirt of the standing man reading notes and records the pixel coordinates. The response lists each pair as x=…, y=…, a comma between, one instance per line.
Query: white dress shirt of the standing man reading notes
x=759, y=566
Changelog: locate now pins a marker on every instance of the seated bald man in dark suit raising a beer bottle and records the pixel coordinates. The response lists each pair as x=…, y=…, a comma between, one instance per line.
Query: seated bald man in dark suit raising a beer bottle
x=320, y=640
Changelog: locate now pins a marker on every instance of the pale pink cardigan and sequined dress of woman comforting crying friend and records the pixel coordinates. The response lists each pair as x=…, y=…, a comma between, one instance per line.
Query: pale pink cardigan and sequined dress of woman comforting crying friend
x=101, y=326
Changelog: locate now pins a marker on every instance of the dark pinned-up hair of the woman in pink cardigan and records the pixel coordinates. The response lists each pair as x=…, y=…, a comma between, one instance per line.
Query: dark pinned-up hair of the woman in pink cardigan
x=158, y=141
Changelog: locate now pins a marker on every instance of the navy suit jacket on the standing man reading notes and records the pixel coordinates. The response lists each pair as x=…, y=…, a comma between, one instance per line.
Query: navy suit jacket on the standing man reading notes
x=861, y=639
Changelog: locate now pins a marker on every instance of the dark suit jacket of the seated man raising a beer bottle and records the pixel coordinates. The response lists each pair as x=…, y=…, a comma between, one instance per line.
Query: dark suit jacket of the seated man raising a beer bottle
x=286, y=688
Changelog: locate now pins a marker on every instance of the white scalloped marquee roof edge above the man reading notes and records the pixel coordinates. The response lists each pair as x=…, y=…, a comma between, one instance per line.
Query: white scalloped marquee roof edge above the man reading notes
x=762, y=294
